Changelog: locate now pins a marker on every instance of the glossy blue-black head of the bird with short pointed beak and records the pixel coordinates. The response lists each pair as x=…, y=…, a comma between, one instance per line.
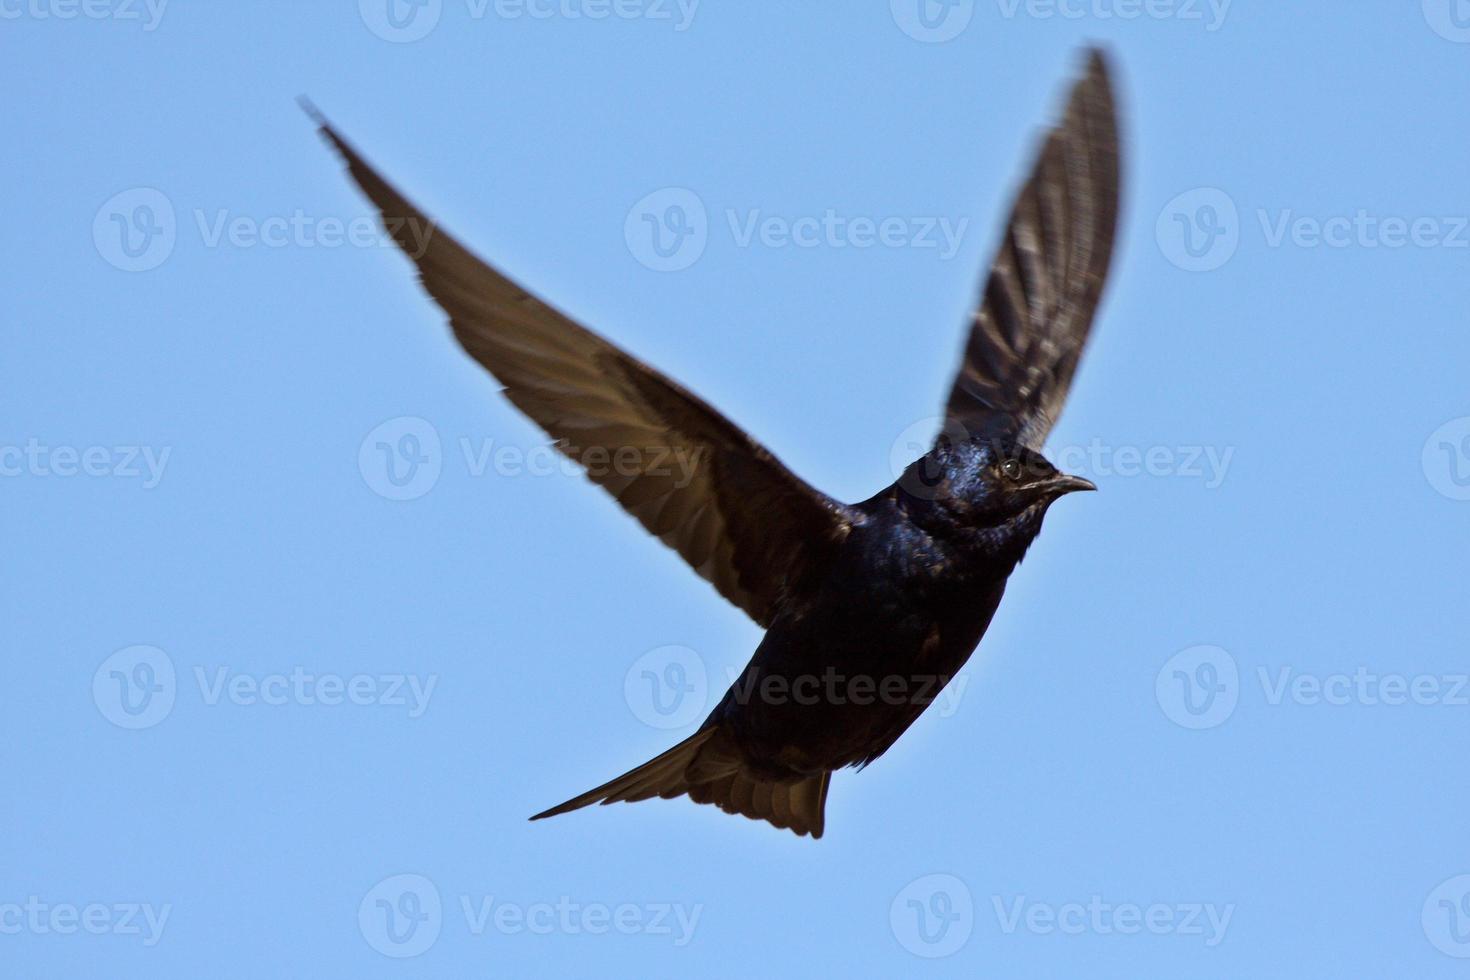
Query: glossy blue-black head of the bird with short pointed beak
x=987, y=484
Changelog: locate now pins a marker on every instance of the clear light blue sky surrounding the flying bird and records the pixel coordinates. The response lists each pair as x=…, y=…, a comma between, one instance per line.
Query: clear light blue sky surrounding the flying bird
x=273, y=713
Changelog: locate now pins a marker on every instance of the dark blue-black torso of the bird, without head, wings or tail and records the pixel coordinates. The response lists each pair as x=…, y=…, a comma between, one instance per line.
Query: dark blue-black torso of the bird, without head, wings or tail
x=840, y=675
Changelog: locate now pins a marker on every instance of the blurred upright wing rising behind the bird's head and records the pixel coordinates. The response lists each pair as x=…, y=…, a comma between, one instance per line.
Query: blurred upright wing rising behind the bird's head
x=1046, y=283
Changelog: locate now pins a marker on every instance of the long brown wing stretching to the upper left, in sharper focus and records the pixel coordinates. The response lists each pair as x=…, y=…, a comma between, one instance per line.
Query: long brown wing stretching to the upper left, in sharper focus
x=696, y=481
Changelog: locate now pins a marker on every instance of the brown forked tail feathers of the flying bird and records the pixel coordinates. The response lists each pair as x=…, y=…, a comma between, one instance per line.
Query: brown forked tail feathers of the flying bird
x=699, y=769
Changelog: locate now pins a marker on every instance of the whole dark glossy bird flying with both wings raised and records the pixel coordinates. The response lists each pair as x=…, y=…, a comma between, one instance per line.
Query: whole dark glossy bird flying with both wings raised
x=870, y=609
